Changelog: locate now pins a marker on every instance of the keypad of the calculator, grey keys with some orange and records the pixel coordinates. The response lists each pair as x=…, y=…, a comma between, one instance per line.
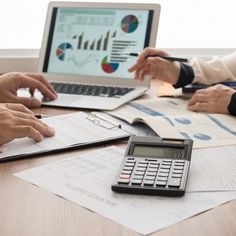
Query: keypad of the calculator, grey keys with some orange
x=164, y=173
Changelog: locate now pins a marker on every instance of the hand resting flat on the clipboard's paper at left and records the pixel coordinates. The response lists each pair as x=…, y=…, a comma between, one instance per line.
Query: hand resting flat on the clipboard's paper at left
x=16, y=121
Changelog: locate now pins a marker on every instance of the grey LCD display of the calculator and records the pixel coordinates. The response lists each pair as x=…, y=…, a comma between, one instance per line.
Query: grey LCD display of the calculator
x=157, y=151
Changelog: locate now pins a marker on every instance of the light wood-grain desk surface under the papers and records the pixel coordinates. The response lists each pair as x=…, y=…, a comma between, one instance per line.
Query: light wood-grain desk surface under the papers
x=29, y=210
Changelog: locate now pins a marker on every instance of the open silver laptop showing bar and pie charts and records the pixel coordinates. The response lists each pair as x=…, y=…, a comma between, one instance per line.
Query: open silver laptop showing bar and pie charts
x=84, y=51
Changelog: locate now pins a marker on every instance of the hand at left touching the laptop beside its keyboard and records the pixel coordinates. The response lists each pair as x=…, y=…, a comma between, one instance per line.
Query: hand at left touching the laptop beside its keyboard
x=11, y=82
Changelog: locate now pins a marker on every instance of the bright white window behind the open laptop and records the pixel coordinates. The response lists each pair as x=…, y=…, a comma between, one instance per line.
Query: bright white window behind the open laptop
x=183, y=24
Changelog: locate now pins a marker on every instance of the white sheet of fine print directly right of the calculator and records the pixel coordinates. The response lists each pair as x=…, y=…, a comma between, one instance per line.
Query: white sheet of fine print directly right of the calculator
x=213, y=169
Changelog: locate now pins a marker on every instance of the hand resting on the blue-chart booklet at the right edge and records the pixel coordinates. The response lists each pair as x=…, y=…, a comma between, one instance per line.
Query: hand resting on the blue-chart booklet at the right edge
x=214, y=99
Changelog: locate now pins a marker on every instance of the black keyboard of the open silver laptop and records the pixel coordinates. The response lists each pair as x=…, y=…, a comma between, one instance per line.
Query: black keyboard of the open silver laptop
x=91, y=90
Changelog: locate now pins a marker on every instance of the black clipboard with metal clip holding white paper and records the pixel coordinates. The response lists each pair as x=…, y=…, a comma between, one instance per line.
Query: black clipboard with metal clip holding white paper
x=77, y=130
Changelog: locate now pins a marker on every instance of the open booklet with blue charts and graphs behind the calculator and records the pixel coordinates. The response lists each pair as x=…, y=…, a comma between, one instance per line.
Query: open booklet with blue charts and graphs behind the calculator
x=168, y=117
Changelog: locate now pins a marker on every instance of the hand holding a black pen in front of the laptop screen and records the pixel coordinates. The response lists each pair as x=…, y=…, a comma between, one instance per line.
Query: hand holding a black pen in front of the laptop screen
x=156, y=67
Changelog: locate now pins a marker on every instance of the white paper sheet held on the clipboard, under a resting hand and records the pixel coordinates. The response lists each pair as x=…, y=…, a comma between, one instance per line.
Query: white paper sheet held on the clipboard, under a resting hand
x=70, y=129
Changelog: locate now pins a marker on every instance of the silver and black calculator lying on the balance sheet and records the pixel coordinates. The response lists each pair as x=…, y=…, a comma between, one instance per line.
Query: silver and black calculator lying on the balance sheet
x=154, y=166
